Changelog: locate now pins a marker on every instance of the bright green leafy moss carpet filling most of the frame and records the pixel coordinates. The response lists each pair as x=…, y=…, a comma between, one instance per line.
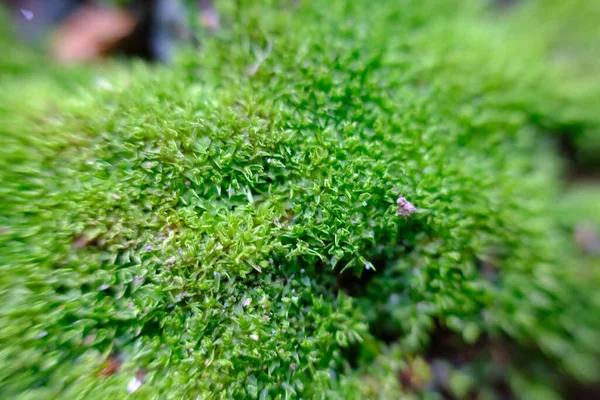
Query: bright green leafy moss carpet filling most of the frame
x=229, y=227
